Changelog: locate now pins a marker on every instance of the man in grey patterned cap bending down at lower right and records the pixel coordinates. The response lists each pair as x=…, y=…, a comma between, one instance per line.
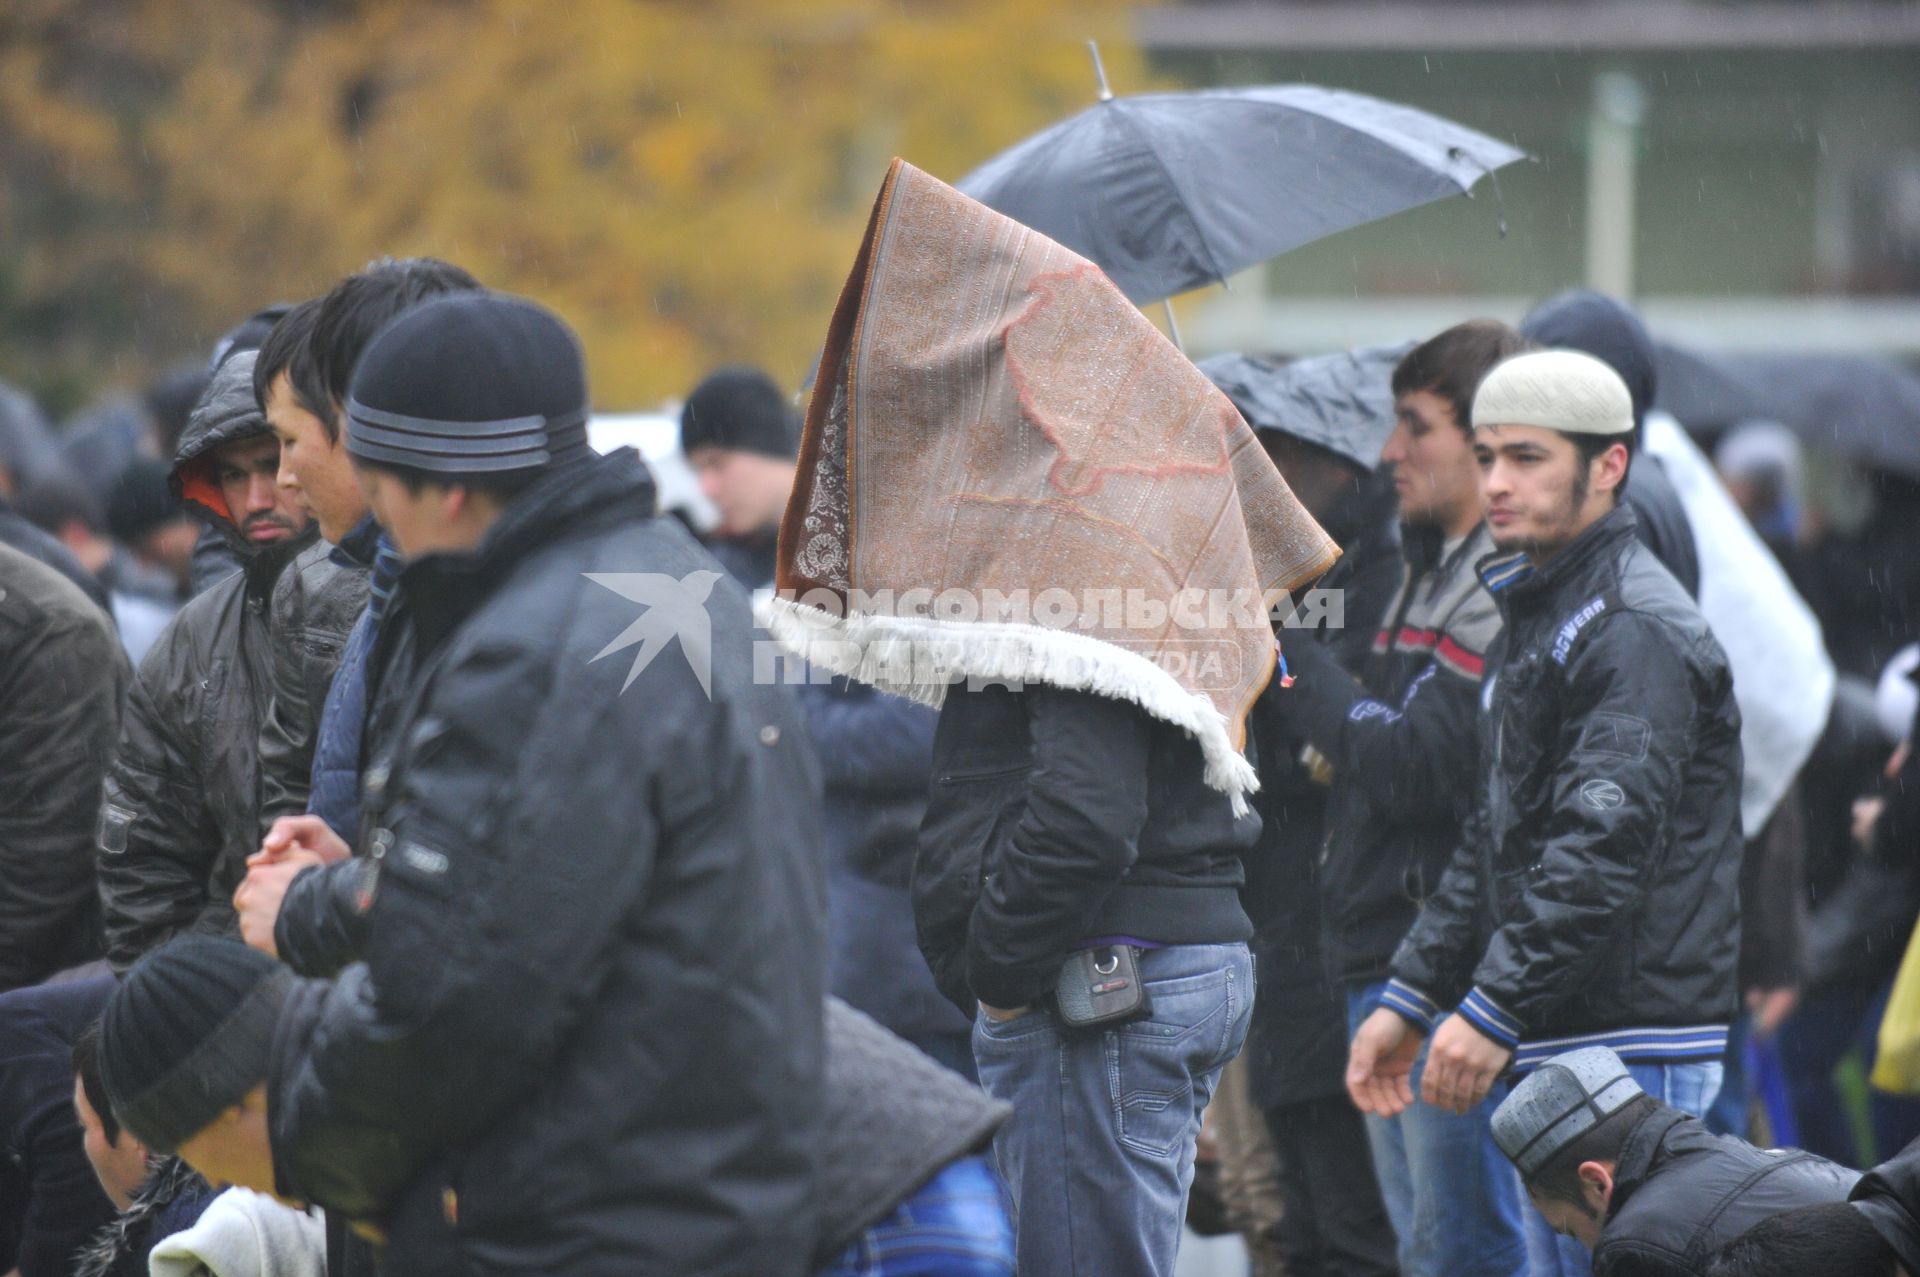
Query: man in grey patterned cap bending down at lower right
x=1646, y=1188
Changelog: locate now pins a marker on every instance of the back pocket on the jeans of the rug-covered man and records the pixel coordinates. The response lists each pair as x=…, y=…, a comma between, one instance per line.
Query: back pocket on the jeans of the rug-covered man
x=1151, y=1065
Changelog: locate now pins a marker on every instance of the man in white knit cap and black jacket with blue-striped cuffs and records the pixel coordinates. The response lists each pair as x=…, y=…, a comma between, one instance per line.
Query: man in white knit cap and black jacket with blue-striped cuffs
x=1596, y=892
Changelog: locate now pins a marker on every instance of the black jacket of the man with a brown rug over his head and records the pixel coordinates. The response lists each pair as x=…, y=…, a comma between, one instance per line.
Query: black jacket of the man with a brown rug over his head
x=1061, y=817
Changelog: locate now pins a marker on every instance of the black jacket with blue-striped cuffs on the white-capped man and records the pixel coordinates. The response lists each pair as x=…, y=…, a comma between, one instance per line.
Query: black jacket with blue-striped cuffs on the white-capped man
x=1596, y=892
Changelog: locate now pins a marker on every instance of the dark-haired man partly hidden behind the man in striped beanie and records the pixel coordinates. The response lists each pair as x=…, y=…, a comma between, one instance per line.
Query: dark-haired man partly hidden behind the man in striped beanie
x=302, y=385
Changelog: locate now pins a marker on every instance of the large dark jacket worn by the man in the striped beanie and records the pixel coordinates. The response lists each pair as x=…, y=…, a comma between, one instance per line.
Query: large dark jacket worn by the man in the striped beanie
x=585, y=1028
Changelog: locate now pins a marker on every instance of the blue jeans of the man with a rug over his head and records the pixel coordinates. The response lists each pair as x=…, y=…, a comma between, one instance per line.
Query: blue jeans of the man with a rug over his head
x=1101, y=1147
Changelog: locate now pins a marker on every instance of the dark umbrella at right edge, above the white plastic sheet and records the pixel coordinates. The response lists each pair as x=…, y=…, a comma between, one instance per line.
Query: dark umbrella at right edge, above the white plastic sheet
x=1854, y=406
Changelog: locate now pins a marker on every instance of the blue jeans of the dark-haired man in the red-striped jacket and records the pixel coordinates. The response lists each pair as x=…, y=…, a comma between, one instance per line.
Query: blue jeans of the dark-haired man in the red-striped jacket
x=1452, y=1195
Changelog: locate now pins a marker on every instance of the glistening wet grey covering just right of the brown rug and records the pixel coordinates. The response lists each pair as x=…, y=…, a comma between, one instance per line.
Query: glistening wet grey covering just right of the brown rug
x=1337, y=402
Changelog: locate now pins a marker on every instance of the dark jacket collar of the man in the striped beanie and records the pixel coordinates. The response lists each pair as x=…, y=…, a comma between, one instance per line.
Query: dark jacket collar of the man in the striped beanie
x=588, y=496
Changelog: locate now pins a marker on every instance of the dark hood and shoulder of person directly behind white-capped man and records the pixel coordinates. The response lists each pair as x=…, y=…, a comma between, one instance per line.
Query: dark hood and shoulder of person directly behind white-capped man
x=1612, y=333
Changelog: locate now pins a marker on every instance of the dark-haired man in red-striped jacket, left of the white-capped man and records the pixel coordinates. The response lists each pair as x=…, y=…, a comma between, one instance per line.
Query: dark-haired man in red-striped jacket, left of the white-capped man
x=1401, y=740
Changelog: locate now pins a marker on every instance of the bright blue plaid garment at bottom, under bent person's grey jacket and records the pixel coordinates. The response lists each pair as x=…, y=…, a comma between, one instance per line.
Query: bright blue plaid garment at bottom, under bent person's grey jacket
x=957, y=1226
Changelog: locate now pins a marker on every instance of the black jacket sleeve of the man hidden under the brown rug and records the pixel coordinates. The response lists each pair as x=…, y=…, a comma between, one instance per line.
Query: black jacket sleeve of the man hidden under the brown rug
x=1078, y=834
